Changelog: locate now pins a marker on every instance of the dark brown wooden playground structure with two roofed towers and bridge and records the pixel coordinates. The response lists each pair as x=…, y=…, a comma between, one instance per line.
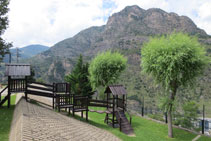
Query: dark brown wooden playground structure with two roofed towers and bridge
x=63, y=98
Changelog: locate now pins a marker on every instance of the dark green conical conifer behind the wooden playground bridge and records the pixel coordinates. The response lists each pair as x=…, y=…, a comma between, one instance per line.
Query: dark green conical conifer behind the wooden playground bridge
x=79, y=78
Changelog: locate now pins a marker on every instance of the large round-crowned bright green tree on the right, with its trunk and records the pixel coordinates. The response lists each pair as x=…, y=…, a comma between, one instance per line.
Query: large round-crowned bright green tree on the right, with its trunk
x=174, y=60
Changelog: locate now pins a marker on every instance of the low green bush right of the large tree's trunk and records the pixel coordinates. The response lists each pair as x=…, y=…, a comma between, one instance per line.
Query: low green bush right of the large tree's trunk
x=190, y=110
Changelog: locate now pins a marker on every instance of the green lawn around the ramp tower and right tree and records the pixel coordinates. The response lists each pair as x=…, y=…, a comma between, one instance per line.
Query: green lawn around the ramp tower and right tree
x=145, y=130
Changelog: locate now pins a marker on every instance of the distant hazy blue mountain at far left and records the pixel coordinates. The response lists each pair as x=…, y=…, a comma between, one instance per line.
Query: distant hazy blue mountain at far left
x=26, y=52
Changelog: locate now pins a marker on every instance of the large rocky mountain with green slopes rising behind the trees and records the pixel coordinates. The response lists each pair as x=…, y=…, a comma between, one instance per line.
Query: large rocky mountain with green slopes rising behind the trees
x=125, y=31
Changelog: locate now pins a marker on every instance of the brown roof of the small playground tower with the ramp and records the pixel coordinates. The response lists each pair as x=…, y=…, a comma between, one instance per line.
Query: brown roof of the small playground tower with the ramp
x=116, y=90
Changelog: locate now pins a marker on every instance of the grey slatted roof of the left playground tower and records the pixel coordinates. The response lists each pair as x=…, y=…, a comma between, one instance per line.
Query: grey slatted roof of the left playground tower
x=18, y=70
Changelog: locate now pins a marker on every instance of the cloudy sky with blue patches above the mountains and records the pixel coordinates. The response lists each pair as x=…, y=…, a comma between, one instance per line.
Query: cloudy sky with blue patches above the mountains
x=47, y=22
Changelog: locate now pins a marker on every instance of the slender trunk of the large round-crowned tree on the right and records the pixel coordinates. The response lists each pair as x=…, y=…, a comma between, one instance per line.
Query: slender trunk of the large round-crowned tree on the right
x=172, y=96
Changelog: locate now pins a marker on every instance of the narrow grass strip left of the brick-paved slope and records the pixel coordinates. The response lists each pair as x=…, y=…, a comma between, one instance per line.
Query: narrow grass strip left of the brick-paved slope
x=6, y=115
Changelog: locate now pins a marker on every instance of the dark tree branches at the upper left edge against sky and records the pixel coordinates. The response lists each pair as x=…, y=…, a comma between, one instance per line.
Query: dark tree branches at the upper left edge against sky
x=4, y=47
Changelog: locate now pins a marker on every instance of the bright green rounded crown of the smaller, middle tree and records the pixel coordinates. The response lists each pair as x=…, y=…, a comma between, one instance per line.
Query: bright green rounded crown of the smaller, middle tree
x=106, y=68
